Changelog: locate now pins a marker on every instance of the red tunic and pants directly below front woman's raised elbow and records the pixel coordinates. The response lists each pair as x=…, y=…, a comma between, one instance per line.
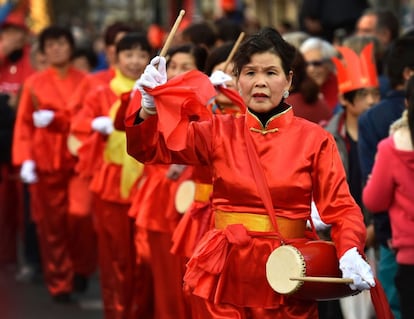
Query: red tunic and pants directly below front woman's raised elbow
x=157, y=216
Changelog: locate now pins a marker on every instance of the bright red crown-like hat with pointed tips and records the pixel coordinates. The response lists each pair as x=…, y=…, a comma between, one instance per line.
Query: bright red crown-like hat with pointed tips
x=356, y=72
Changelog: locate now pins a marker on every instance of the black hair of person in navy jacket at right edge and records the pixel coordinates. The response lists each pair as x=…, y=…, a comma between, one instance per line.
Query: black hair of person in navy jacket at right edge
x=399, y=56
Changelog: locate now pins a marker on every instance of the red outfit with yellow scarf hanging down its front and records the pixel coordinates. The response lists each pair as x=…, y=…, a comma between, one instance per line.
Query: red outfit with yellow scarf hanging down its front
x=114, y=227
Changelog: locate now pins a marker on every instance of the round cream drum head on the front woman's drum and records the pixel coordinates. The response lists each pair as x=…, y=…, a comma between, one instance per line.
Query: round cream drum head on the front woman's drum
x=283, y=263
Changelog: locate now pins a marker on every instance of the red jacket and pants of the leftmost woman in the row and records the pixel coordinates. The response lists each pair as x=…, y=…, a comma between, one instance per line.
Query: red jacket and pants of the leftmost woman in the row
x=54, y=167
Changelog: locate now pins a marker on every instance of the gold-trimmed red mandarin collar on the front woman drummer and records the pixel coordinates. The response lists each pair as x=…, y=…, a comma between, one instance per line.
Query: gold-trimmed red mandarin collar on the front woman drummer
x=273, y=124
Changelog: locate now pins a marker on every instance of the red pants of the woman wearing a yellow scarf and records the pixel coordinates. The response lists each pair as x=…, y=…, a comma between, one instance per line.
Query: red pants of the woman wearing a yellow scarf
x=116, y=259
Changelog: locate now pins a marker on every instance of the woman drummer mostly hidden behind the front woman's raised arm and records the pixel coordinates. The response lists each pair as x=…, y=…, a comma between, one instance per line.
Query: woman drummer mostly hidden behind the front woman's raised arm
x=197, y=216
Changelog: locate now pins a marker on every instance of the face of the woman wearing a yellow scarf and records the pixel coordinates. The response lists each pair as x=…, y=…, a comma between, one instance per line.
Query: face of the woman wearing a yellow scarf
x=132, y=62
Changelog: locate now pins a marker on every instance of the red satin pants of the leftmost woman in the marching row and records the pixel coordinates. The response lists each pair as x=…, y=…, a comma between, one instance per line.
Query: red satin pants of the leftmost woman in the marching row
x=67, y=242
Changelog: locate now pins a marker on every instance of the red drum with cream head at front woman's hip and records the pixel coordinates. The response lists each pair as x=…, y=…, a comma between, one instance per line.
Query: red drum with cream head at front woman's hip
x=307, y=259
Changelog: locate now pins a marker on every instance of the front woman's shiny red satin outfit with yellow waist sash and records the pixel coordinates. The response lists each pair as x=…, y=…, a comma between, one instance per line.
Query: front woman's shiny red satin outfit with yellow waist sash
x=221, y=271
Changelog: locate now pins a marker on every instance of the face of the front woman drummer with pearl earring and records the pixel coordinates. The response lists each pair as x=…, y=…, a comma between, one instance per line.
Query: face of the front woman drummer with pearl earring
x=262, y=82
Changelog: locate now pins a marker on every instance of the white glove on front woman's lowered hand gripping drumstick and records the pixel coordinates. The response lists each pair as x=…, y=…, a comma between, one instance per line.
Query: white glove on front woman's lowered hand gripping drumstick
x=355, y=267
